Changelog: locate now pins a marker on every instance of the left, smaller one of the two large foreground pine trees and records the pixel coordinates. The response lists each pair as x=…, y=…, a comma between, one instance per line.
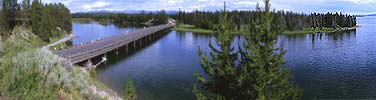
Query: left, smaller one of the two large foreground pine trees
x=221, y=69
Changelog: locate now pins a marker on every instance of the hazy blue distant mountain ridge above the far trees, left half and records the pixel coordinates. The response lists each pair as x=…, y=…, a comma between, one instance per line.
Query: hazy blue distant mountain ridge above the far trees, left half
x=131, y=11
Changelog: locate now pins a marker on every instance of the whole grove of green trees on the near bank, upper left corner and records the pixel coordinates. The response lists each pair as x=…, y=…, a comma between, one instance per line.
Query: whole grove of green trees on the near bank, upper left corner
x=45, y=20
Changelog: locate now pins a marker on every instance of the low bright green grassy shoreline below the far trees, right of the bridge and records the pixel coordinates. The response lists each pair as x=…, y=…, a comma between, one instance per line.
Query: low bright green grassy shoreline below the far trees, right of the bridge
x=191, y=28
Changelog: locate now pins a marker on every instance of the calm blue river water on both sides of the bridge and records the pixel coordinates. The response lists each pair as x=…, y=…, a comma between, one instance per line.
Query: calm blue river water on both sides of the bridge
x=326, y=66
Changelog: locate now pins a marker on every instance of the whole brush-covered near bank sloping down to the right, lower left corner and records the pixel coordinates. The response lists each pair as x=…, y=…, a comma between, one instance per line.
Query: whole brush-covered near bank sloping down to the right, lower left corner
x=28, y=72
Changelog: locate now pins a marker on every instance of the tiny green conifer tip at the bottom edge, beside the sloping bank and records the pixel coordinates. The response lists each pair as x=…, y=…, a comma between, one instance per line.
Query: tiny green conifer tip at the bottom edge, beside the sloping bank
x=130, y=90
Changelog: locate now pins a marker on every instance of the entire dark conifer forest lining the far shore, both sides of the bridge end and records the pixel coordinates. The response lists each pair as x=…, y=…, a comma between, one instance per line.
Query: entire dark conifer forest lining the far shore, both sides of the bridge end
x=208, y=20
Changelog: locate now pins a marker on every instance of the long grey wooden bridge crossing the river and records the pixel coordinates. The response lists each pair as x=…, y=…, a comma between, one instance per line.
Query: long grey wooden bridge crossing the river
x=86, y=51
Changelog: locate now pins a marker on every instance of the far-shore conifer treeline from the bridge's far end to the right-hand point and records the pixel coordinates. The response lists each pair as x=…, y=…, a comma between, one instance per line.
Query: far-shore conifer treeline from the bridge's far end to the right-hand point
x=291, y=20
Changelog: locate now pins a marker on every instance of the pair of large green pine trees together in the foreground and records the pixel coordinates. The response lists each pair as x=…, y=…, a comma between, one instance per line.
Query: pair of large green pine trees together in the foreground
x=259, y=73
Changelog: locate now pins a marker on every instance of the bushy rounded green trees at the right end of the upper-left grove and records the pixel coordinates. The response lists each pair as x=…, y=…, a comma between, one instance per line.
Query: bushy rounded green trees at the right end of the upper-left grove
x=46, y=19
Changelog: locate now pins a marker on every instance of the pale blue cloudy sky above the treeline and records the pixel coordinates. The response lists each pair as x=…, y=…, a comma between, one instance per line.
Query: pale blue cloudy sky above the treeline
x=305, y=6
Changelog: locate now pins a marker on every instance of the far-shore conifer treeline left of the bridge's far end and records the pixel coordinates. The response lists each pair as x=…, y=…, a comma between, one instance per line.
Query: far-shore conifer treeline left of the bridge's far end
x=155, y=18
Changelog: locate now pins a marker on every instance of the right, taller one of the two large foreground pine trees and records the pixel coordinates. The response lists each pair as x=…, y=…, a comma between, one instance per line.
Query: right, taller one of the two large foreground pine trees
x=263, y=65
